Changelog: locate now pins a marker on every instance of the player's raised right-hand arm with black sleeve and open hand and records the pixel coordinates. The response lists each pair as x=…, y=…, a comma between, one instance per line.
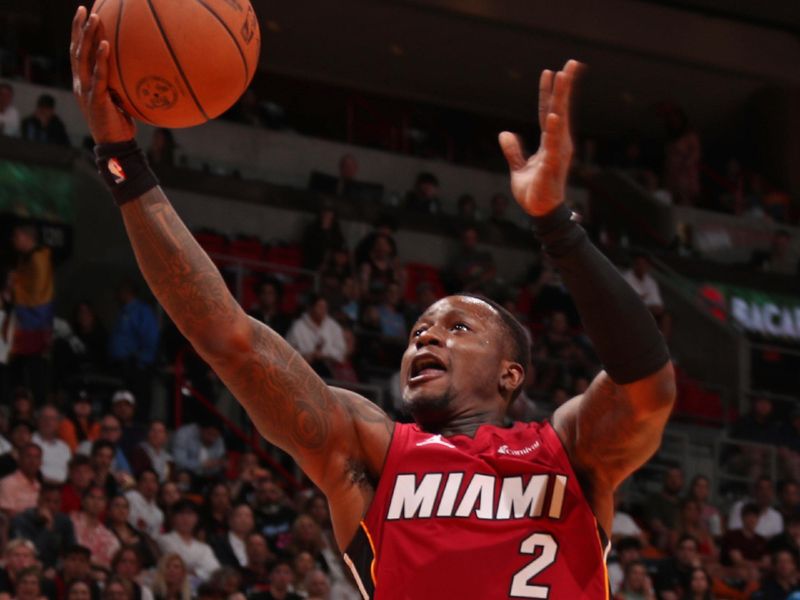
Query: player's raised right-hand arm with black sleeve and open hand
x=617, y=424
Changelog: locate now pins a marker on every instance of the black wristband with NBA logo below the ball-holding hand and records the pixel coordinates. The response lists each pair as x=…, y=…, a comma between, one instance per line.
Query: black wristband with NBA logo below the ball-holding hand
x=124, y=168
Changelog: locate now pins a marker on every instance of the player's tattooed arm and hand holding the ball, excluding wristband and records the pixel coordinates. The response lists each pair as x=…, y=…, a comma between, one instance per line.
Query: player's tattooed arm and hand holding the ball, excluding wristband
x=336, y=436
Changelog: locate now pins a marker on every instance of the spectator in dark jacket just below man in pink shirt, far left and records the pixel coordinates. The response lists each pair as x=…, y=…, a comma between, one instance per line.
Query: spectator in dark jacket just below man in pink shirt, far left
x=49, y=529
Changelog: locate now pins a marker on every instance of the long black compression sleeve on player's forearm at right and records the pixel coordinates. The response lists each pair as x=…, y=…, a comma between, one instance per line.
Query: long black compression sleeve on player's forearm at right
x=623, y=331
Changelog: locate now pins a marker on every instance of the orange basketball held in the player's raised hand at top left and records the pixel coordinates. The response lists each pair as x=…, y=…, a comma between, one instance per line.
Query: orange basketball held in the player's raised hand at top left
x=178, y=63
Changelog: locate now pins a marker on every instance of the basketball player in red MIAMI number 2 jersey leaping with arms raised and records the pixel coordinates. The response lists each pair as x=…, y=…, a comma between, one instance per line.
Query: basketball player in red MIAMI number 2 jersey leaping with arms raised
x=455, y=505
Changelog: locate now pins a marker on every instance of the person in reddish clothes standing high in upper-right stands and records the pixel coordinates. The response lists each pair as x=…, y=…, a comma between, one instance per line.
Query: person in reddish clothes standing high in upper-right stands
x=683, y=153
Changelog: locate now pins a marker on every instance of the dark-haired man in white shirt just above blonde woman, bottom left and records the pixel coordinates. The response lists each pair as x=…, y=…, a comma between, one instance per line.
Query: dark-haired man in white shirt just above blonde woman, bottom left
x=197, y=556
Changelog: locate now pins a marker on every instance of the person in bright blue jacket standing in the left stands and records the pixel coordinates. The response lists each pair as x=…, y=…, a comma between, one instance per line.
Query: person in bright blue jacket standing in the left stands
x=134, y=343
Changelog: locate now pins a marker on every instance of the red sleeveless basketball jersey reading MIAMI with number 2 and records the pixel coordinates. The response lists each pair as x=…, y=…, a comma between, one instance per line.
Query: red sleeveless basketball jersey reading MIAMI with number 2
x=500, y=515
